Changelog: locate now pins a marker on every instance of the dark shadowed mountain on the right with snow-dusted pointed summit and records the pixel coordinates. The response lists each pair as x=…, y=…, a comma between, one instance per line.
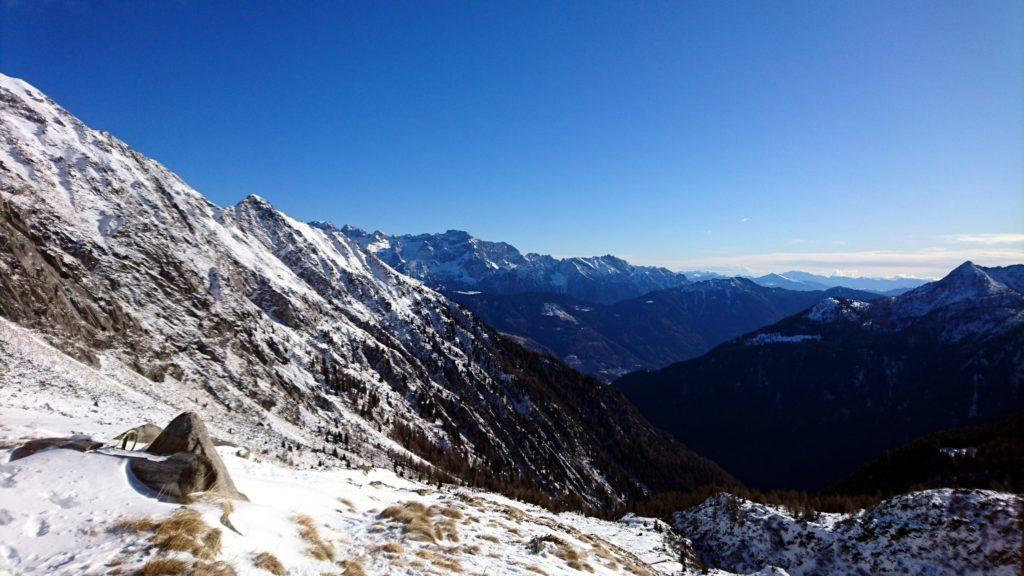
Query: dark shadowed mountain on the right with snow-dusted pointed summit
x=803, y=402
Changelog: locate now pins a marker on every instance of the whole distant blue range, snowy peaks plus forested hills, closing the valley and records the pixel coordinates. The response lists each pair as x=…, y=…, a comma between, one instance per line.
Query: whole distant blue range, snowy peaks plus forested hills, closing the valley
x=603, y=315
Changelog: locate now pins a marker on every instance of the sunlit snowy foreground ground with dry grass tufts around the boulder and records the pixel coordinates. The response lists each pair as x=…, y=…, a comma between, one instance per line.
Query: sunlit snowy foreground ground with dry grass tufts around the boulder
x=66, y=513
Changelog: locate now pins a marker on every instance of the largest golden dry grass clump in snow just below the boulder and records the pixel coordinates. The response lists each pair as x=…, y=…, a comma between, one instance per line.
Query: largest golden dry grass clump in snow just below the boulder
x=184, y=531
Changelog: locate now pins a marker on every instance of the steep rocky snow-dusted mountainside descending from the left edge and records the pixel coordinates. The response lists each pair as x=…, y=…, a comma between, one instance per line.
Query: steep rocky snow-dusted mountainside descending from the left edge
x=292, y=331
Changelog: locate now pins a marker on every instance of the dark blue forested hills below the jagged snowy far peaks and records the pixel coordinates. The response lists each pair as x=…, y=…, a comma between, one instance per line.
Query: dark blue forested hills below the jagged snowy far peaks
x=647, y=333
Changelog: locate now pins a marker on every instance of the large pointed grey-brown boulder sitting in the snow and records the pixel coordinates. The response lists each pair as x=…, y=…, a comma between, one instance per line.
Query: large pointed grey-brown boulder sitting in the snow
x=184, y=461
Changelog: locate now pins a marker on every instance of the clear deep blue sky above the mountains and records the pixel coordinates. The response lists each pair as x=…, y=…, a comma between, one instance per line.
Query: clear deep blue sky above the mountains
x=869, y=138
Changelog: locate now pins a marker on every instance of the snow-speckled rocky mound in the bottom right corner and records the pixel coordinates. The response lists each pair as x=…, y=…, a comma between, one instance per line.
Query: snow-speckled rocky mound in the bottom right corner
x=935, y=532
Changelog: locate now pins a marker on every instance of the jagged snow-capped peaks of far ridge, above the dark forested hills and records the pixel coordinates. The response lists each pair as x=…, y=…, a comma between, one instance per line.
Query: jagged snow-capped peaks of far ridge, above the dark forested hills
x=456, y=261
